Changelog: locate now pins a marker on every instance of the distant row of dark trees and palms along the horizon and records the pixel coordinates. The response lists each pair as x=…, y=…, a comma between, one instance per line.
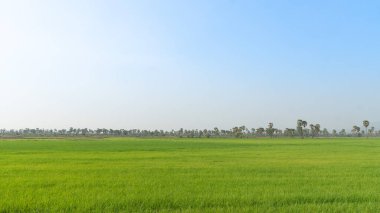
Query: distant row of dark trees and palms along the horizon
x=302, y=130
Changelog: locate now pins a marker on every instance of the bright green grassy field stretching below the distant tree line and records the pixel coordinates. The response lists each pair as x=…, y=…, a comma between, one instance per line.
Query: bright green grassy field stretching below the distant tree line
x=190, y=175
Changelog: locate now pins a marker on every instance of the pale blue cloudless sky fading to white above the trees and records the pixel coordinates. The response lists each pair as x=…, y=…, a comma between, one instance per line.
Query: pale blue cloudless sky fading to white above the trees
x=161, y=64
